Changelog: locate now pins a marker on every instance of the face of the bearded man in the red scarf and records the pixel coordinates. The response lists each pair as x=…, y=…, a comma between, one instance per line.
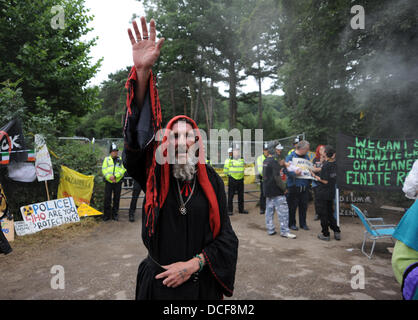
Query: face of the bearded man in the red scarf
x=183, y=137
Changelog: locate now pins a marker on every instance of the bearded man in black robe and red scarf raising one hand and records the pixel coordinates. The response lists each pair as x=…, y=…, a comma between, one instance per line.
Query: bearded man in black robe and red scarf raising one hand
x=192, y=248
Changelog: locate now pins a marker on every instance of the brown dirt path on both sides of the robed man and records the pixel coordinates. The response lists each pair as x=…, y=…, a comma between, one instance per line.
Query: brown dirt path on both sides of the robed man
x=102, y=263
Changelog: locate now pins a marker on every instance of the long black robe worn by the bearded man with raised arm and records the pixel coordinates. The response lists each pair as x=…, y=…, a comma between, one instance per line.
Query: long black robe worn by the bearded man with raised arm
x=177, y=237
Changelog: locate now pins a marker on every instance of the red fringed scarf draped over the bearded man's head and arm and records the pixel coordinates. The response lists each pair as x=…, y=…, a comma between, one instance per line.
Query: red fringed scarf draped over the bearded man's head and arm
x=156, y=195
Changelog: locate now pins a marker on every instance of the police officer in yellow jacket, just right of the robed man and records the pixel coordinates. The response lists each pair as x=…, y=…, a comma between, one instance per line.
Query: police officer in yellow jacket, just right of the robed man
x=234, y=168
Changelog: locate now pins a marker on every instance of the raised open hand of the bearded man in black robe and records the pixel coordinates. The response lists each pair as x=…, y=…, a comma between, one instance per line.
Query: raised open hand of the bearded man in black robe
x=144, y=49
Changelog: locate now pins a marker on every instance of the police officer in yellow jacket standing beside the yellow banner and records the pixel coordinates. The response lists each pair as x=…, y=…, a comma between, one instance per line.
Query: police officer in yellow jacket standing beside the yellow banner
x=113, y=172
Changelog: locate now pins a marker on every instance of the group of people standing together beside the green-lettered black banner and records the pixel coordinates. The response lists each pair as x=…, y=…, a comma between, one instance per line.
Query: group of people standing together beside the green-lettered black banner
x=284, y=188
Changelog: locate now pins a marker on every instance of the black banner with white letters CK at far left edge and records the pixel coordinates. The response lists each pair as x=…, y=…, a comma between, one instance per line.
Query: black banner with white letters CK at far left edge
x=12, y=143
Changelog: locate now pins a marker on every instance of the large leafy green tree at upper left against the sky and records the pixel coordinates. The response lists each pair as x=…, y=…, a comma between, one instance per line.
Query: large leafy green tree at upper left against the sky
x=52, y=65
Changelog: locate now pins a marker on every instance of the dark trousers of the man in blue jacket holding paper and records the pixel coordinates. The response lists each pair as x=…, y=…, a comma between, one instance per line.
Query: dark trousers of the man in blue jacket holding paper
x=297, y=198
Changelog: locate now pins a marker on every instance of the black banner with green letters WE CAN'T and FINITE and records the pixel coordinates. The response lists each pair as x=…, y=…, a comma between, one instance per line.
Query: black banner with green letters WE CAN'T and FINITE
x=374, y=164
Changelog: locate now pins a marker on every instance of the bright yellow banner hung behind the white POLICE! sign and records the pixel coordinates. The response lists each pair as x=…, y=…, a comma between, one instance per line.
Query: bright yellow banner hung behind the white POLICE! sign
x=76, y=185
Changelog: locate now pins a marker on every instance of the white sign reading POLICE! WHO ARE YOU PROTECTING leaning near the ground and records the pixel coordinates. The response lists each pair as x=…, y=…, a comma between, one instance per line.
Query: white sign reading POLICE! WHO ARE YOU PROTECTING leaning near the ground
x=44, y=215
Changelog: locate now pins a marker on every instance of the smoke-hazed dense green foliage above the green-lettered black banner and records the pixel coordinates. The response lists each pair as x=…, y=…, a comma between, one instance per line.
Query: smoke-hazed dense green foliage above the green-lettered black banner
x=333, y=74
